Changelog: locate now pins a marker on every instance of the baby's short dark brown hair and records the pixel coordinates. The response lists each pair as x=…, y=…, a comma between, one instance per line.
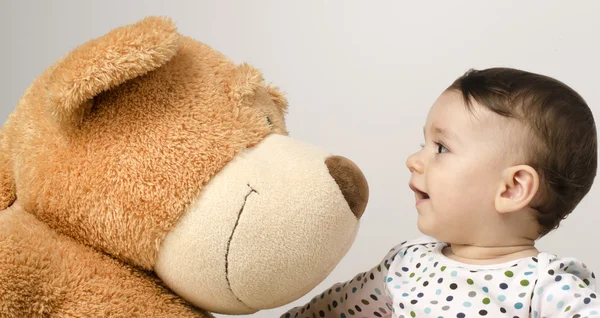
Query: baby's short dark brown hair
x=563, y=149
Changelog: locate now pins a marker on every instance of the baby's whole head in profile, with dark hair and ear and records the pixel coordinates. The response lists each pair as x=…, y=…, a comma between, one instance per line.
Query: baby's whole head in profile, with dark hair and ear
x=507, y=154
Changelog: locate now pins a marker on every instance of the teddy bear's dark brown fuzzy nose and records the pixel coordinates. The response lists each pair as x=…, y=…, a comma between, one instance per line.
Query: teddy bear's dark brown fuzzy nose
x=351, y=181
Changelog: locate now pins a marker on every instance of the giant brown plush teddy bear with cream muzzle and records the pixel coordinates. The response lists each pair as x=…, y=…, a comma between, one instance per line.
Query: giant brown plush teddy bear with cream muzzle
x=156, y=179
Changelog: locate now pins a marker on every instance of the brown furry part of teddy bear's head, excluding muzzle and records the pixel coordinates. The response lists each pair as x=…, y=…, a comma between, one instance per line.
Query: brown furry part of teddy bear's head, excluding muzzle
x=135, y=156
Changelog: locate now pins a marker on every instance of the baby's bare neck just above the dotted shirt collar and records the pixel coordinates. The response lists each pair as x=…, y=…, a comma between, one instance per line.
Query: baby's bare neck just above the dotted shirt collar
x=485, y=255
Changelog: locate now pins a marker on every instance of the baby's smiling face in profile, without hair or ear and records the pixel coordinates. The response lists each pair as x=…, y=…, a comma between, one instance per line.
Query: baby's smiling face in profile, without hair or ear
x=458, y=172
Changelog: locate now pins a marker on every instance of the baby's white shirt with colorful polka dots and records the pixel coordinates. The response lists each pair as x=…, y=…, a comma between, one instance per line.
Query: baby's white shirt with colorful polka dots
x=416, y=280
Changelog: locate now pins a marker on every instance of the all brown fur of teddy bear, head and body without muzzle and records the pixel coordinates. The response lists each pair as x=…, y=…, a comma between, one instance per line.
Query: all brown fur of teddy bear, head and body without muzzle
x=108, y=147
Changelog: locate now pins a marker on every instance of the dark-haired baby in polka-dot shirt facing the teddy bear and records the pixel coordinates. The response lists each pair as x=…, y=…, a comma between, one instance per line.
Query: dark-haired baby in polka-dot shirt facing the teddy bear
x=507, y=155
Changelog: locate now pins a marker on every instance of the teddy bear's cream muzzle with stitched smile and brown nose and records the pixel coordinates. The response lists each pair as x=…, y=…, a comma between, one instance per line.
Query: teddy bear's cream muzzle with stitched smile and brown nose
x=266, y=229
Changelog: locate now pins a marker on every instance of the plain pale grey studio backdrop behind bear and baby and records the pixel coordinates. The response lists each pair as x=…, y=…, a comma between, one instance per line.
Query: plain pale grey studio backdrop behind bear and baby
x=360, y=77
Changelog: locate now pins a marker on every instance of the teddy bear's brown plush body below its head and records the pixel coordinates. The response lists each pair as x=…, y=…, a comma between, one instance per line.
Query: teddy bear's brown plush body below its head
x=47, y=274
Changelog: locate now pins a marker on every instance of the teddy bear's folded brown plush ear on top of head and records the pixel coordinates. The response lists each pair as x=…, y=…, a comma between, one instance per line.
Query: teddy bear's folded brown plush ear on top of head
x=105, y=62
